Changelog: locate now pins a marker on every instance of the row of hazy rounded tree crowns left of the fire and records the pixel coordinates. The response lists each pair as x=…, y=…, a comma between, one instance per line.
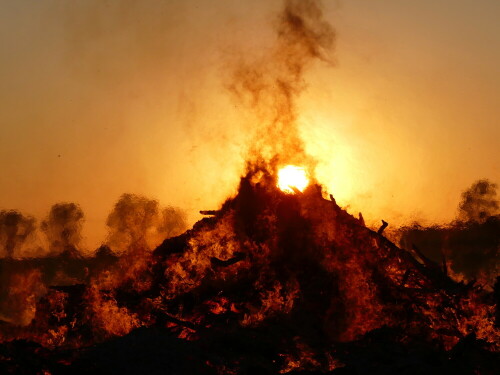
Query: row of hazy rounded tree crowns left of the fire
x=135, y=221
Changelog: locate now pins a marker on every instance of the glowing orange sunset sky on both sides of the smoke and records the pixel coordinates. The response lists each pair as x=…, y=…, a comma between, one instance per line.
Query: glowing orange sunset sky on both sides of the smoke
x=99, y=98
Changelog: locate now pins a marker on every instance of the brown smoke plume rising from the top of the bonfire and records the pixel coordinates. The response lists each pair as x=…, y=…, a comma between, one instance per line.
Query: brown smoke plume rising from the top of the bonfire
x=270, y=86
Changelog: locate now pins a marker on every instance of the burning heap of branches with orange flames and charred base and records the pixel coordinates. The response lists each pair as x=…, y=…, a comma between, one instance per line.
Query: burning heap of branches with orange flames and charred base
x=273, y=282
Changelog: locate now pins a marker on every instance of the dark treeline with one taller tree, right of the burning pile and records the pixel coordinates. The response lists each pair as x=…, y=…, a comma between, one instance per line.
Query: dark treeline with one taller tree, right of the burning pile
x=470, y=244
